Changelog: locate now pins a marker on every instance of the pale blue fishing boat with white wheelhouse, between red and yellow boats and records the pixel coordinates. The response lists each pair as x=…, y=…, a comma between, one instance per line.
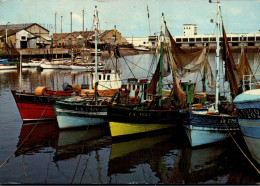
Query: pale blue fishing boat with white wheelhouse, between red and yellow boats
x=92, y=108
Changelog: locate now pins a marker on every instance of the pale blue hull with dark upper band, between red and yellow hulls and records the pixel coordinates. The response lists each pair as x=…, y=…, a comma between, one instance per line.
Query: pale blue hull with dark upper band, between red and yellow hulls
x=72, y=115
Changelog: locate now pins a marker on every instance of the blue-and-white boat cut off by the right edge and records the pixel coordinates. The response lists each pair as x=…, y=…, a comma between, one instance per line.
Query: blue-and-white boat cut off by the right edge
x=248, y=107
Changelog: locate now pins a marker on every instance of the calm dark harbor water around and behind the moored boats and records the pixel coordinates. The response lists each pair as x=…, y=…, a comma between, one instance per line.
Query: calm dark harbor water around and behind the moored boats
x=40, y=153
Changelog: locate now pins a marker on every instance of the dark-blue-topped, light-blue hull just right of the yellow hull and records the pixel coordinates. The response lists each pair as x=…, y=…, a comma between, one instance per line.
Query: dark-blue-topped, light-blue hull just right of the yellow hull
x=205, y=129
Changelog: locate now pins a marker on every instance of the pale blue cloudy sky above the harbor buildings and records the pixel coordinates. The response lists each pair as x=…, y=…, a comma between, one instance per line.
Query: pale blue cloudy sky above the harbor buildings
x=130, y=16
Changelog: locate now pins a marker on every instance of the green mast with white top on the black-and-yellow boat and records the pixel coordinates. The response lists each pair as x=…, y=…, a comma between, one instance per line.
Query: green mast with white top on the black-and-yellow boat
x=161, y=61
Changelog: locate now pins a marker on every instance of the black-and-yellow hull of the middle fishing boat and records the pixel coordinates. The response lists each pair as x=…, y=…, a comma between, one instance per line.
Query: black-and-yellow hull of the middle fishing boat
x=125, y=121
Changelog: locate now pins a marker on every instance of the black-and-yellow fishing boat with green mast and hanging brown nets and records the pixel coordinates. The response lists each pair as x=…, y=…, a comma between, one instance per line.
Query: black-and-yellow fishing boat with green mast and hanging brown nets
x=154, y=112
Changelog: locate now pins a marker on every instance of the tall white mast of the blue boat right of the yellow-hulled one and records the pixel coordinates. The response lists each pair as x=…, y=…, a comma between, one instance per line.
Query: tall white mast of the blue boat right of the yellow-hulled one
x=217, y=60
